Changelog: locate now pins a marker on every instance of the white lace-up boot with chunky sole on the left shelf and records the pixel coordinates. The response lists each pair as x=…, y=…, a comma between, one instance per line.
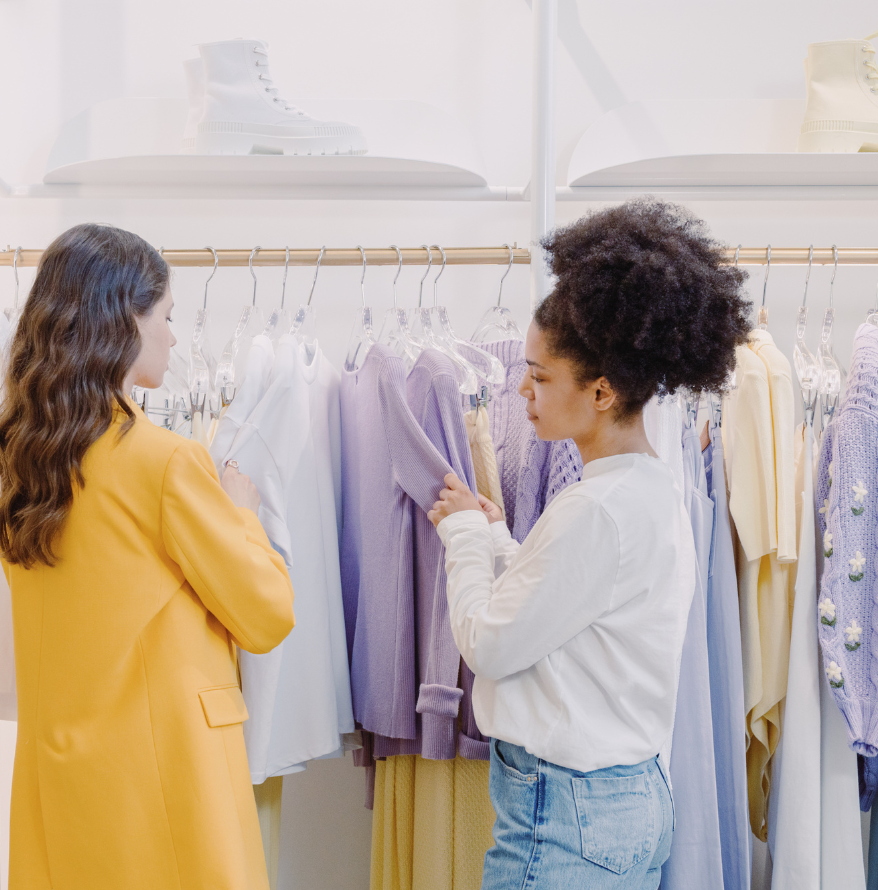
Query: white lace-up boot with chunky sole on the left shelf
x=243, y=113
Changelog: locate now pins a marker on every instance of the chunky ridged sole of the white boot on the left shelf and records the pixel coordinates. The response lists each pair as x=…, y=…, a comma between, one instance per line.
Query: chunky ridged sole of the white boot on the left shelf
x=232, y=138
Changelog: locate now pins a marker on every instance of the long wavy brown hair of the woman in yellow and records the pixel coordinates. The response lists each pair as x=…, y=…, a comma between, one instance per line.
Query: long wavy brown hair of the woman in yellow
x=75, y=343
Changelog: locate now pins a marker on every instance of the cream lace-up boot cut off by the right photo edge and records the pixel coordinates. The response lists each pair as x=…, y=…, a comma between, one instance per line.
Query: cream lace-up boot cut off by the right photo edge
x=842, y=110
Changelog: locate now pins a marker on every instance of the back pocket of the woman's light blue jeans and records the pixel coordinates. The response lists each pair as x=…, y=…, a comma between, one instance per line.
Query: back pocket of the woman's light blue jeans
x=616, y=820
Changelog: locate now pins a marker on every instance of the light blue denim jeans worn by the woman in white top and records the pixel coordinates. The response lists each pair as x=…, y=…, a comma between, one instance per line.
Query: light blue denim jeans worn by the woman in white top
x=558, y=828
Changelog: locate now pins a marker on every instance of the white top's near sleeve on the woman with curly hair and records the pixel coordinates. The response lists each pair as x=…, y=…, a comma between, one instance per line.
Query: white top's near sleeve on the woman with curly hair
x=560, y=581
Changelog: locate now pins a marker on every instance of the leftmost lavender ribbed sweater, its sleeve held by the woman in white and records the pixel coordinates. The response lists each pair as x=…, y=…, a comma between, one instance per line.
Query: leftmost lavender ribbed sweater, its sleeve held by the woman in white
x=388, y=462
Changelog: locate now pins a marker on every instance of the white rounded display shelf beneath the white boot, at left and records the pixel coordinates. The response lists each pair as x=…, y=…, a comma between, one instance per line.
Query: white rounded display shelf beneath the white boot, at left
x=131, y=146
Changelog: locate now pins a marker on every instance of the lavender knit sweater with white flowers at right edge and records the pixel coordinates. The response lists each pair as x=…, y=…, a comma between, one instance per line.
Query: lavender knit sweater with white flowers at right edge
x=847, y=497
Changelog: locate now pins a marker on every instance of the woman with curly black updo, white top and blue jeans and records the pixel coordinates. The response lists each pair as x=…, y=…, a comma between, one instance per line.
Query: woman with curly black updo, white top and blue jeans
x=575, y=635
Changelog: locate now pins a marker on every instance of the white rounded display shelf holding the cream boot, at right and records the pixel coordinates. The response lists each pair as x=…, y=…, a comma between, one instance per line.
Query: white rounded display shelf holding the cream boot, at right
x=712, y=148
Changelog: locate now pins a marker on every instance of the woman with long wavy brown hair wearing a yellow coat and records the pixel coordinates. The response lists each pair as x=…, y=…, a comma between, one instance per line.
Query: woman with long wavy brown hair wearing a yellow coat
x=134, y=572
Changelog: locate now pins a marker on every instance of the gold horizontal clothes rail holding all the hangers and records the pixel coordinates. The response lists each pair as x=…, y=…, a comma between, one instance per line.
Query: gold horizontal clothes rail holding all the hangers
x=454, y=256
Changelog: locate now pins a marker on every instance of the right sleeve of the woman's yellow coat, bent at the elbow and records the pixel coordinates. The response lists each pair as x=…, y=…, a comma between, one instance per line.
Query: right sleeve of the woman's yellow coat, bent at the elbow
x=224, y=553
